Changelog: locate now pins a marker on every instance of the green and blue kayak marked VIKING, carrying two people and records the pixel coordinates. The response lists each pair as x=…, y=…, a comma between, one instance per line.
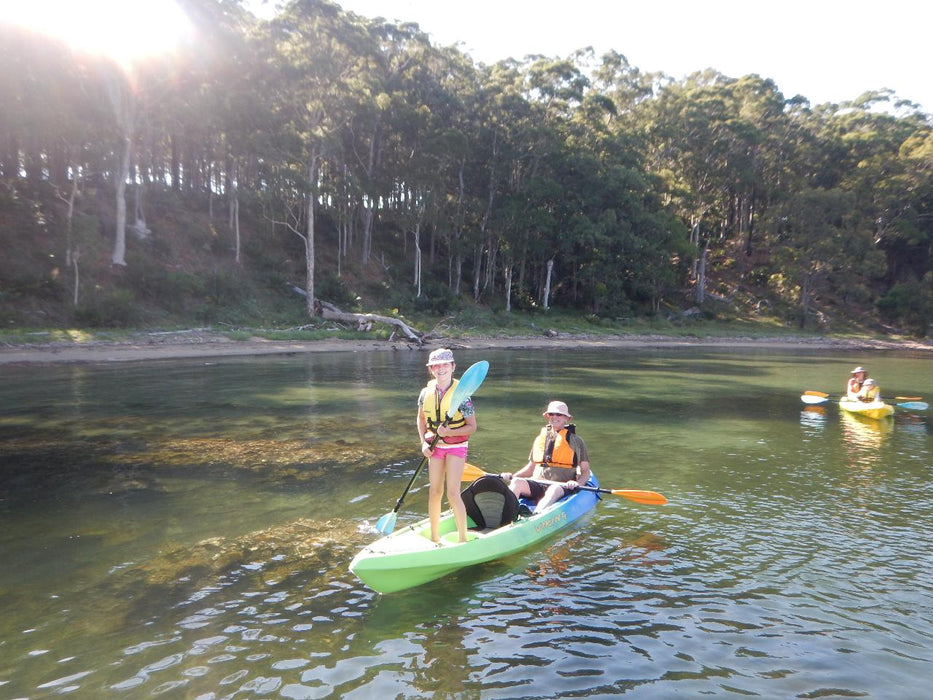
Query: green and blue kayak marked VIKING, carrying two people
x=407, y=557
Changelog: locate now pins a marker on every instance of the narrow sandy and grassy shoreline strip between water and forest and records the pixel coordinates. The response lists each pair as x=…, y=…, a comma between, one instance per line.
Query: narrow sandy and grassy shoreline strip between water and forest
x=184, y=346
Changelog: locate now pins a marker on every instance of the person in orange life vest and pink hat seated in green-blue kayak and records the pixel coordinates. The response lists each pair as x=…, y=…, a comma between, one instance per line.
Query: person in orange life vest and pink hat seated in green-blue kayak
x=557, y=455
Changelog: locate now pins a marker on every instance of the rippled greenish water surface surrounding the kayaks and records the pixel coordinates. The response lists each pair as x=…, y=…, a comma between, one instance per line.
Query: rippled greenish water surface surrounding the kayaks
x=183, y=530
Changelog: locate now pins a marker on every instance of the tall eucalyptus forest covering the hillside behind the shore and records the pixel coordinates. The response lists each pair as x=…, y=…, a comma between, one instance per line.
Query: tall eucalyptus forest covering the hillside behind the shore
x=354, y=160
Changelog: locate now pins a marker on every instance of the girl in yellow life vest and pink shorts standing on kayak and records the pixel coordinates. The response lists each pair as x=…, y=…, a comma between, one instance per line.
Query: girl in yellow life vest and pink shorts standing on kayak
x=448, y=455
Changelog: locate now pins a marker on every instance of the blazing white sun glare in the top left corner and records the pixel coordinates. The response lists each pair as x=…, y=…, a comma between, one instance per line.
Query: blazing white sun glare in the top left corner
x=124, y=30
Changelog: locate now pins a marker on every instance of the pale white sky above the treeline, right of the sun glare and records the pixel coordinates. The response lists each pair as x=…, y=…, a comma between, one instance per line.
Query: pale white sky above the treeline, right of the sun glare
x=825, y=50
